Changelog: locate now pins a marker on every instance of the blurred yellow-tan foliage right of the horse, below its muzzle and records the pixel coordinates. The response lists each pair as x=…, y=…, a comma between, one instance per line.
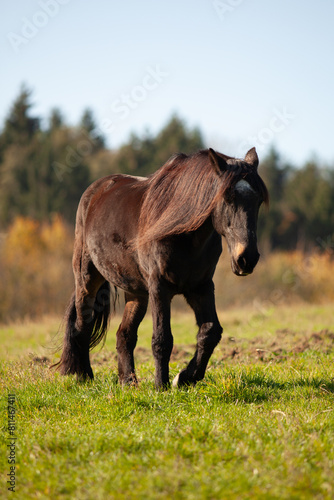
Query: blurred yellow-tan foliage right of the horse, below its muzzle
x=280, y=277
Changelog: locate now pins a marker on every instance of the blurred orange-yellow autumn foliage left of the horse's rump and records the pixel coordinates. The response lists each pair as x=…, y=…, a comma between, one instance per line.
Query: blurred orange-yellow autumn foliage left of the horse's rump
x=35, y=267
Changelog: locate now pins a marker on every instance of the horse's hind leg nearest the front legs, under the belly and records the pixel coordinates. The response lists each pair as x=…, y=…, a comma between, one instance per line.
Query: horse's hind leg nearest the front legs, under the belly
x=135, y=310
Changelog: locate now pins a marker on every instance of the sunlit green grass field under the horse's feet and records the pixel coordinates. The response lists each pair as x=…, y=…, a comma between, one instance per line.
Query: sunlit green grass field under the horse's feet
x=260, y=425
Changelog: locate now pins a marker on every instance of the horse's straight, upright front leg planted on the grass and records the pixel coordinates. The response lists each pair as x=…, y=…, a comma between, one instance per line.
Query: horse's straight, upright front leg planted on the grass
x=162, y=339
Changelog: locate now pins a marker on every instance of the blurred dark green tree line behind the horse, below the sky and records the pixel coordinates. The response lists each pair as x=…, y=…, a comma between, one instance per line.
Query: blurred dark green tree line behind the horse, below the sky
x=46, y=164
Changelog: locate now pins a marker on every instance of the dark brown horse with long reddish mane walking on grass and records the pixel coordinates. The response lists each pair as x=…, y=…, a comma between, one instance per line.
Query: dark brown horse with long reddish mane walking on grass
x=153, y=238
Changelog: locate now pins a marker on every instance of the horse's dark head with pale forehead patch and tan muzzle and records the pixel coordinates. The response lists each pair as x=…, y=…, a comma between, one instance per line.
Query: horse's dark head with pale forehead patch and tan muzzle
x=236, y=213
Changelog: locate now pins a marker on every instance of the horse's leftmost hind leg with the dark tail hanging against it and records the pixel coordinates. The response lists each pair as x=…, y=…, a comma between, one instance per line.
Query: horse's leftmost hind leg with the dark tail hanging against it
x=84, y=314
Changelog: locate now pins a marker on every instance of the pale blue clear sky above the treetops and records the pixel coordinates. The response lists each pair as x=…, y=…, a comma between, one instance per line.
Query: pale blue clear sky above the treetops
x=246, y=72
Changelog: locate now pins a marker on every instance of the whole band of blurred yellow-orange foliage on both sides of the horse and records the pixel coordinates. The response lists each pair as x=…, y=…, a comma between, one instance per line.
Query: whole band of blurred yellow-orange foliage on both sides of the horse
x=36, y=273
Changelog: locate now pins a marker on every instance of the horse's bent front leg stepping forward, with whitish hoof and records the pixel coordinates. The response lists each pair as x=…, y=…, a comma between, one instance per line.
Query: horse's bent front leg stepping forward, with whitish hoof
x=203, y=303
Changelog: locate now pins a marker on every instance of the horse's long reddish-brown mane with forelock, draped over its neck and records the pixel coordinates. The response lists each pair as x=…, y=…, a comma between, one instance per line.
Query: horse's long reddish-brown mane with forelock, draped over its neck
x=181, y=195
